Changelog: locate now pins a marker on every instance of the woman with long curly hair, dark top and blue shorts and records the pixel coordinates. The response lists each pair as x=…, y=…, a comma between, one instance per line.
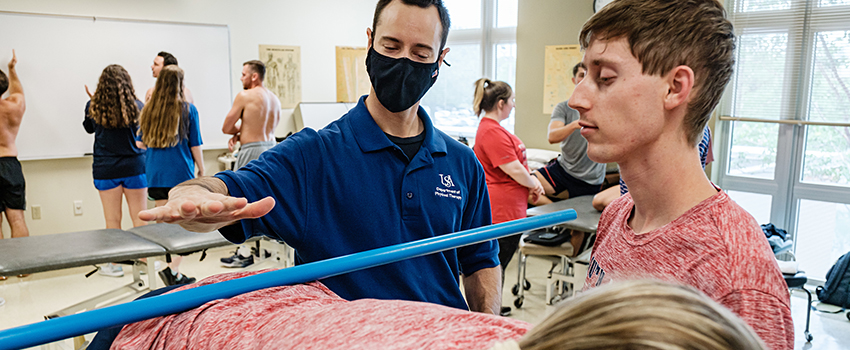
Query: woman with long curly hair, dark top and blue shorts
x=118, y=169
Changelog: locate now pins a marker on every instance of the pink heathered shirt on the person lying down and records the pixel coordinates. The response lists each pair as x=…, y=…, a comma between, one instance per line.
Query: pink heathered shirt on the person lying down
x=310, y=316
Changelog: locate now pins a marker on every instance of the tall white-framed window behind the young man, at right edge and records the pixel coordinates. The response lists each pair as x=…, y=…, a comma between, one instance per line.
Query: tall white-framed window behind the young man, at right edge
x=788, y=160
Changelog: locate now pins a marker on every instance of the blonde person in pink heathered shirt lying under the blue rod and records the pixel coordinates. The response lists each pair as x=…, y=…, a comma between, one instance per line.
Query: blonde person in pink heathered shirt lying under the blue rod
x=623, y=315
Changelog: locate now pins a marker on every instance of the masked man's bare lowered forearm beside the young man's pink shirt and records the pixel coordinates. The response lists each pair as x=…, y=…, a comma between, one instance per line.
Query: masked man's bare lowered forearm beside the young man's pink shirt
x=483, y=290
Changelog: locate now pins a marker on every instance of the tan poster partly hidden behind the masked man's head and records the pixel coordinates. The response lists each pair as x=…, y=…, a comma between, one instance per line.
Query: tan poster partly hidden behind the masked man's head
x=352, y=81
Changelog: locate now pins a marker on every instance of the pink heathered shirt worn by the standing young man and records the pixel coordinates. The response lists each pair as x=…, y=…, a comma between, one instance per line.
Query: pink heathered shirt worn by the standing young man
x=716, y=247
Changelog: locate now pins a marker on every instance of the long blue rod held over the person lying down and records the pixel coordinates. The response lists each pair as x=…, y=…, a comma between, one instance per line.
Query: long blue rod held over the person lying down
x=90, y=321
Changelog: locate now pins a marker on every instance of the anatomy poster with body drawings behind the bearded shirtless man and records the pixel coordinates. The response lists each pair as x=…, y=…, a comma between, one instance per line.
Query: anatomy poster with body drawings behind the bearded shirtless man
x=283, y=73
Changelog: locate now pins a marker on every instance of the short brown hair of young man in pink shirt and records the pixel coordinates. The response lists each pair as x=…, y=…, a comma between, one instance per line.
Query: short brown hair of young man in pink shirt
x=664, y=34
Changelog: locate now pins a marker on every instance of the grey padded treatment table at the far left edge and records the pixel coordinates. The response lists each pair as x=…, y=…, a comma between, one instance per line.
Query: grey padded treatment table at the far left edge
x=59, y=251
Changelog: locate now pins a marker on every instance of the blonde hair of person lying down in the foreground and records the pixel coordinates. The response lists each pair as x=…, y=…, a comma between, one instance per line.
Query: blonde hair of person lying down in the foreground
x=640, y=314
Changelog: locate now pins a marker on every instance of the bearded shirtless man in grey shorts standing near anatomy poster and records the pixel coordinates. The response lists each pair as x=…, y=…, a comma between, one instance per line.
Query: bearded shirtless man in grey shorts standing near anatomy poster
x=259, y=110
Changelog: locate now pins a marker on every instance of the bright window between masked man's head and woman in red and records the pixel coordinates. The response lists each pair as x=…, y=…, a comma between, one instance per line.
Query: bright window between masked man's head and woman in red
x=482, y=43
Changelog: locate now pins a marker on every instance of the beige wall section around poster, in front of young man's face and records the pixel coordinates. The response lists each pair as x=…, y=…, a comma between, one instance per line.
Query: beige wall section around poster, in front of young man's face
x=541, y=23
